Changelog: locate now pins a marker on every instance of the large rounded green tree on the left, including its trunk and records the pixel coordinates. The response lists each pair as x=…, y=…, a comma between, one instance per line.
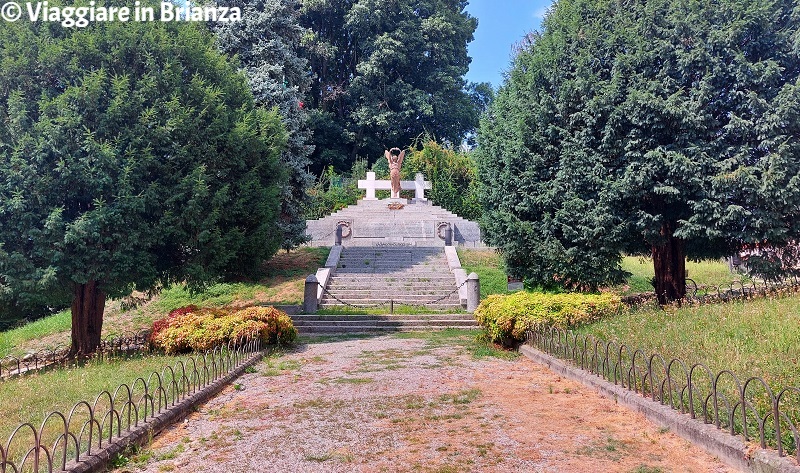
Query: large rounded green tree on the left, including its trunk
x=131, y=155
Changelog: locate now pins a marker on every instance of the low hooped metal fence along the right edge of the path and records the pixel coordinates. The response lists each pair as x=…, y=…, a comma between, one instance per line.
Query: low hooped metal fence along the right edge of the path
x=751, y=408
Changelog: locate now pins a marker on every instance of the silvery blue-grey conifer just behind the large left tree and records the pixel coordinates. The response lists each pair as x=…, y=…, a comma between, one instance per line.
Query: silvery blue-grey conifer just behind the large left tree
x=266, y=41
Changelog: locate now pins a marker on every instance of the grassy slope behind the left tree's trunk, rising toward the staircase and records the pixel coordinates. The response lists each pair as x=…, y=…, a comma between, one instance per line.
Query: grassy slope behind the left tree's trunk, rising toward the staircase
x=282, y=284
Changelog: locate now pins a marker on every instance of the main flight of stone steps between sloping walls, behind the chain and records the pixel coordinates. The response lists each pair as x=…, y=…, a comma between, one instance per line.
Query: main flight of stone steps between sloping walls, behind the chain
x=380, y=276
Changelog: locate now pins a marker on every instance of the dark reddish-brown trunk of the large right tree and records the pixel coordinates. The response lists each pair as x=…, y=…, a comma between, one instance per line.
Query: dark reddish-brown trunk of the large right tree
x=669, y=263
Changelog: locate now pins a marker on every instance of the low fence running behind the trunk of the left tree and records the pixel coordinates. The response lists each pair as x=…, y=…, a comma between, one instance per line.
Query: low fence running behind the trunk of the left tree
x=128, y=342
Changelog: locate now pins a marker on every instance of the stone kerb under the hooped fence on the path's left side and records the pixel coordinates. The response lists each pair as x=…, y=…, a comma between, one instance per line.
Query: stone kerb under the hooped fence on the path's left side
x=98, y=462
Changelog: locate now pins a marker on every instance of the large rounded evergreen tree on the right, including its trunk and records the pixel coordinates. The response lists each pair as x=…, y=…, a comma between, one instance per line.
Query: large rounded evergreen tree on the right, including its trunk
x=662, y=127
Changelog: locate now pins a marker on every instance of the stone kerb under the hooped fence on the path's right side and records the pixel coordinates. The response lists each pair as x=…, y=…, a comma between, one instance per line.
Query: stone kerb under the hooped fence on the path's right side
x=730, y=449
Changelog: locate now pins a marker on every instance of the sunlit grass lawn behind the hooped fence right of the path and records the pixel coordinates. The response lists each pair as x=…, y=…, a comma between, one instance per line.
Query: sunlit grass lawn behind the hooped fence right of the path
x=751, y=338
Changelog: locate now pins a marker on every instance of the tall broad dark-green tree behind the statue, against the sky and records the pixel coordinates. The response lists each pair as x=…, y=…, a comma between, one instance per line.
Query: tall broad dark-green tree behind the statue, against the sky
x=385, y=72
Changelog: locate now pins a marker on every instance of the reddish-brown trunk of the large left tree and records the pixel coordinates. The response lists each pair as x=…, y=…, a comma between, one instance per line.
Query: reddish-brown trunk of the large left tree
x=88, y=303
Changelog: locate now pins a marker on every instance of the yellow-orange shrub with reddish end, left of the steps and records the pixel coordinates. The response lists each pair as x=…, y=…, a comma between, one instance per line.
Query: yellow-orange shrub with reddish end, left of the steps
x=191, y=328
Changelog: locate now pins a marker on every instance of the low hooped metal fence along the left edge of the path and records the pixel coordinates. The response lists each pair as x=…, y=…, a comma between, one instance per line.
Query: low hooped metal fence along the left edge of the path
x=62, y=440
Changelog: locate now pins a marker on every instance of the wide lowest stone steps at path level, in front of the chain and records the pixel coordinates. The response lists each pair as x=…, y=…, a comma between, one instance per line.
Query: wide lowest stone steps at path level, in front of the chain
x=361, y=324
